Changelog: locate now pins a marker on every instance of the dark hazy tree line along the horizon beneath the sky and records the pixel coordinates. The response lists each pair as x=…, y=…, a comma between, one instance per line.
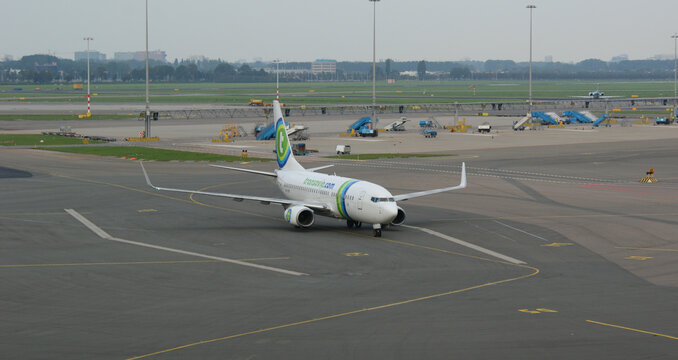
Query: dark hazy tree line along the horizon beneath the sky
x=47, y=69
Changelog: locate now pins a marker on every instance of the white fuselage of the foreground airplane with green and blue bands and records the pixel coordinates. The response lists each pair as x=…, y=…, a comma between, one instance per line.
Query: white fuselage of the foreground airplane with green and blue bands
x=345, y=198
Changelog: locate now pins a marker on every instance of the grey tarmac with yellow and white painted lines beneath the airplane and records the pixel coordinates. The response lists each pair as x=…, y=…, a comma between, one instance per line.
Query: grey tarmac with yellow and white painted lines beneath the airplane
x=159, y=276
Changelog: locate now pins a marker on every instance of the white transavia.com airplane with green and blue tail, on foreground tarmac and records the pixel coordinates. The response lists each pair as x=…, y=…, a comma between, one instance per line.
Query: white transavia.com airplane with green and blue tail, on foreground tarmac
x=310, y=193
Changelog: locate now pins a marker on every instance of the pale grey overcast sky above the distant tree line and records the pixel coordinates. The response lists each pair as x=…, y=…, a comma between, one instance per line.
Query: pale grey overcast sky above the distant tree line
x=304, y=30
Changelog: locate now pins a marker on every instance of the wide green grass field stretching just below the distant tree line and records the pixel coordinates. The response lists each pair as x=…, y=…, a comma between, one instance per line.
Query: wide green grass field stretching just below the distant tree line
x=294, y=94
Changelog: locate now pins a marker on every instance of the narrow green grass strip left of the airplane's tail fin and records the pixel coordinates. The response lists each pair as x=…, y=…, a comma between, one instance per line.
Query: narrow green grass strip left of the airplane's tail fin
x=147, y=153
